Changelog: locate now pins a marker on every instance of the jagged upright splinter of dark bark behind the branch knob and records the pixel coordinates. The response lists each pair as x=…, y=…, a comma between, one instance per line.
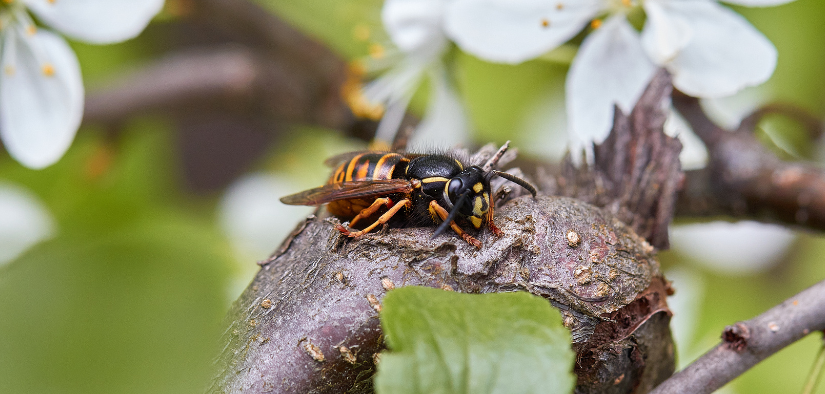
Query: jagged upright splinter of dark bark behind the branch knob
x=636, y=173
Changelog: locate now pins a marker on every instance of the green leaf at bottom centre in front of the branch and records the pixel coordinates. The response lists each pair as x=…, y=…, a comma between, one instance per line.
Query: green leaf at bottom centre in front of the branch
x=445, y=342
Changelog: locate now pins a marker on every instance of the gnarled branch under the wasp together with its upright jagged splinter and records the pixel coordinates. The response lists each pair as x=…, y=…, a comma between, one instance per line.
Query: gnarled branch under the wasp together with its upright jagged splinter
x=309, y=321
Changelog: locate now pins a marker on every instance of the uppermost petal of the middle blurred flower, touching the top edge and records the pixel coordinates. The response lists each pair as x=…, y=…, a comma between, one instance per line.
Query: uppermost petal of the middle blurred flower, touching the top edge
x=415, y=25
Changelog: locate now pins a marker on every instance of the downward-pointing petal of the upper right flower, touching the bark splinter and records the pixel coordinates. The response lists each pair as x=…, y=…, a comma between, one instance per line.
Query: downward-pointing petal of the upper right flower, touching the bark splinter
x=611, y=67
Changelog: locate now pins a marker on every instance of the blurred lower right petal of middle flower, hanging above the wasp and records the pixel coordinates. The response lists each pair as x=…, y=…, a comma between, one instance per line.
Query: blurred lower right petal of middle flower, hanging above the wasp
x=445, y=123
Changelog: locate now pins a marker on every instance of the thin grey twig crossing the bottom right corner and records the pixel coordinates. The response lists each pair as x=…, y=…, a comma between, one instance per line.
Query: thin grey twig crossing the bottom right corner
x=745, y=344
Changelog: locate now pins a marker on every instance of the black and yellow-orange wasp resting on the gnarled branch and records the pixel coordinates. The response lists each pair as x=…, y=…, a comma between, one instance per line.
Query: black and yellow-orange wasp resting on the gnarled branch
x=420, y=189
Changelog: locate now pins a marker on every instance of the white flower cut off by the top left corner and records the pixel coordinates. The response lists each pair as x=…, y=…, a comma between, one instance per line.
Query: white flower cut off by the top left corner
x=41, y=88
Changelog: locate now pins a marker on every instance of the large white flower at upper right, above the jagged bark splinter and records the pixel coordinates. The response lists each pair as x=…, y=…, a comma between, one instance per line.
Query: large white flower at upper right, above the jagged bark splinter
x=710, y=50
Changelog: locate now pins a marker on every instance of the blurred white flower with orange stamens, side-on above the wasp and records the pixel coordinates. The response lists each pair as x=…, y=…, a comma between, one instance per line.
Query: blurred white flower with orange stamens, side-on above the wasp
x=416, y=29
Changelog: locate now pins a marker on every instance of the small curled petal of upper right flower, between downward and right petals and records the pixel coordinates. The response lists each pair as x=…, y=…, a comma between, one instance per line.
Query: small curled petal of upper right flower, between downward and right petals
x=664, y=35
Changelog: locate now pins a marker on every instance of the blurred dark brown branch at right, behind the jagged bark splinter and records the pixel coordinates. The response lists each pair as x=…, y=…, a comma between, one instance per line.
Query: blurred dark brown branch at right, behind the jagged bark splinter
x=744, y=179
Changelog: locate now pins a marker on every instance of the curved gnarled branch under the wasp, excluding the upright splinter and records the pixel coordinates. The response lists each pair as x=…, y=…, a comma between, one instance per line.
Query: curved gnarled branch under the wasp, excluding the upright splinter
x=319, y=295
